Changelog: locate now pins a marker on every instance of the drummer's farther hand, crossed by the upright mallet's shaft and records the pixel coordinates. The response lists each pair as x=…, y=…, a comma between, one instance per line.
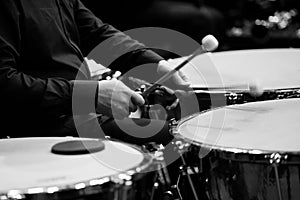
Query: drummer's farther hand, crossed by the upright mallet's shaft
x=177, y=81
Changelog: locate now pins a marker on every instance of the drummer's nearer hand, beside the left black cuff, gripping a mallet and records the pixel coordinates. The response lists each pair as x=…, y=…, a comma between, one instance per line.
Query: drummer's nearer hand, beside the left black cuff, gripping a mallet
x=116, y=100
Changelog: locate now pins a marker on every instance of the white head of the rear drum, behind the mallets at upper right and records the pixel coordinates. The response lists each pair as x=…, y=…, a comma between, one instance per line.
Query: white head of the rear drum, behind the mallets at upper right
x=271, y=68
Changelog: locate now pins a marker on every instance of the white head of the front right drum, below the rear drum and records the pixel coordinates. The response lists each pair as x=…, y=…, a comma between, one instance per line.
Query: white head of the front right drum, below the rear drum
x=268, y=126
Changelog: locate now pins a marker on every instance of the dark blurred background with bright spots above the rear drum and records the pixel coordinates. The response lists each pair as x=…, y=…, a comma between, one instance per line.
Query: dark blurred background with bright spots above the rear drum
x=237, y=24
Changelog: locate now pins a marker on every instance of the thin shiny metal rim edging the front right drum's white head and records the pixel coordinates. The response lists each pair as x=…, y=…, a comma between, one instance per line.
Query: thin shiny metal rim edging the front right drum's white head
x=226, y=149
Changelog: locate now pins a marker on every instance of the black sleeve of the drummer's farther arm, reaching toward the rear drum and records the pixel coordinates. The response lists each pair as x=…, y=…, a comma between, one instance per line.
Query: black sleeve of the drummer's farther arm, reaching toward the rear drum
x=105, y=44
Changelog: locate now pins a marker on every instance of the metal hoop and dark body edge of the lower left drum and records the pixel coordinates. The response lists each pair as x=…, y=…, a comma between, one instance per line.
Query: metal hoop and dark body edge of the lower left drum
x=117, y=186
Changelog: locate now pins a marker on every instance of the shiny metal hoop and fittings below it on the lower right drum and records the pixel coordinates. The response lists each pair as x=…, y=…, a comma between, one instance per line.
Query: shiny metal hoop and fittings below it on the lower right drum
x=241, y=152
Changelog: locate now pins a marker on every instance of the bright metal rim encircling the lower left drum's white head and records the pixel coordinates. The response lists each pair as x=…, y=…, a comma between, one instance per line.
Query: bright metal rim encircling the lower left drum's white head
x=90, y=186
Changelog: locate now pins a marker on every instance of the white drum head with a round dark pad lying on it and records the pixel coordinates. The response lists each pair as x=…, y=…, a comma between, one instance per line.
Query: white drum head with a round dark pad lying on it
x=28, y=166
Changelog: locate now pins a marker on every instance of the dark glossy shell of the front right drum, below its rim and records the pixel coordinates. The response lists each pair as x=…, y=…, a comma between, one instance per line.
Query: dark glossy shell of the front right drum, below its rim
x=235, y=176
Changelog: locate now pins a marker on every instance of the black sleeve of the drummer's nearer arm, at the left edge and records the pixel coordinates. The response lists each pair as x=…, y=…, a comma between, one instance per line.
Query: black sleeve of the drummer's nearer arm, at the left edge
x=19, y=90
